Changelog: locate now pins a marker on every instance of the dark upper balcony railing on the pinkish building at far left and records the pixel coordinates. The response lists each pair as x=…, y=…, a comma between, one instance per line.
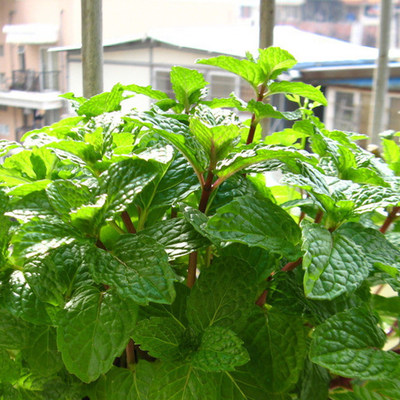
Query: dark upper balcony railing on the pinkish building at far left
x=34, y=81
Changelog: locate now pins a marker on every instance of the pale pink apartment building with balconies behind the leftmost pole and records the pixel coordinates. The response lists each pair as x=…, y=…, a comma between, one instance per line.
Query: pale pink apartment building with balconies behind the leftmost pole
x=32, y=78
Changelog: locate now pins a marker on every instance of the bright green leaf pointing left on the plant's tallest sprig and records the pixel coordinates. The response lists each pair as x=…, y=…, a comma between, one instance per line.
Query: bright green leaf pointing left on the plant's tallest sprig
x=248, y=70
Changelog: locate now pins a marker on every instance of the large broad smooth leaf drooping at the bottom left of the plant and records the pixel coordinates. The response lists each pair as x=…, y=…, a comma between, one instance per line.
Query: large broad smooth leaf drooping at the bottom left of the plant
x=86, y=334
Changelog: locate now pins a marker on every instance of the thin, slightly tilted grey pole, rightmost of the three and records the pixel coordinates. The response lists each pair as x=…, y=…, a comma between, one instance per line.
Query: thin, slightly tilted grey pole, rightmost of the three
x=381, y=75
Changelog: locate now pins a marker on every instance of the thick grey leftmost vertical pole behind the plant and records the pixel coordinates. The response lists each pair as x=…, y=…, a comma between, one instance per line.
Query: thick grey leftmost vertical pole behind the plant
x=92, y=47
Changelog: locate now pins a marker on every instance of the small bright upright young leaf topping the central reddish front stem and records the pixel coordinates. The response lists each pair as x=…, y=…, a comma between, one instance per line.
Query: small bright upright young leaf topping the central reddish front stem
x=217, y=141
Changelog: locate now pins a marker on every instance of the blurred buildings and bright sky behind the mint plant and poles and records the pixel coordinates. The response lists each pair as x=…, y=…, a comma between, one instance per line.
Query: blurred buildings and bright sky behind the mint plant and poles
x=334, y=41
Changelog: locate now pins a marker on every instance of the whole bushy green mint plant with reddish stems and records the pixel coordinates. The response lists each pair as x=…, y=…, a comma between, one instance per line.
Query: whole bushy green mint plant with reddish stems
x=144, y=255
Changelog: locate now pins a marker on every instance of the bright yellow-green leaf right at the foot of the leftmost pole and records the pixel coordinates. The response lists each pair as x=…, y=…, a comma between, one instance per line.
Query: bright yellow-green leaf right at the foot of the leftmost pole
x=103, y=102
